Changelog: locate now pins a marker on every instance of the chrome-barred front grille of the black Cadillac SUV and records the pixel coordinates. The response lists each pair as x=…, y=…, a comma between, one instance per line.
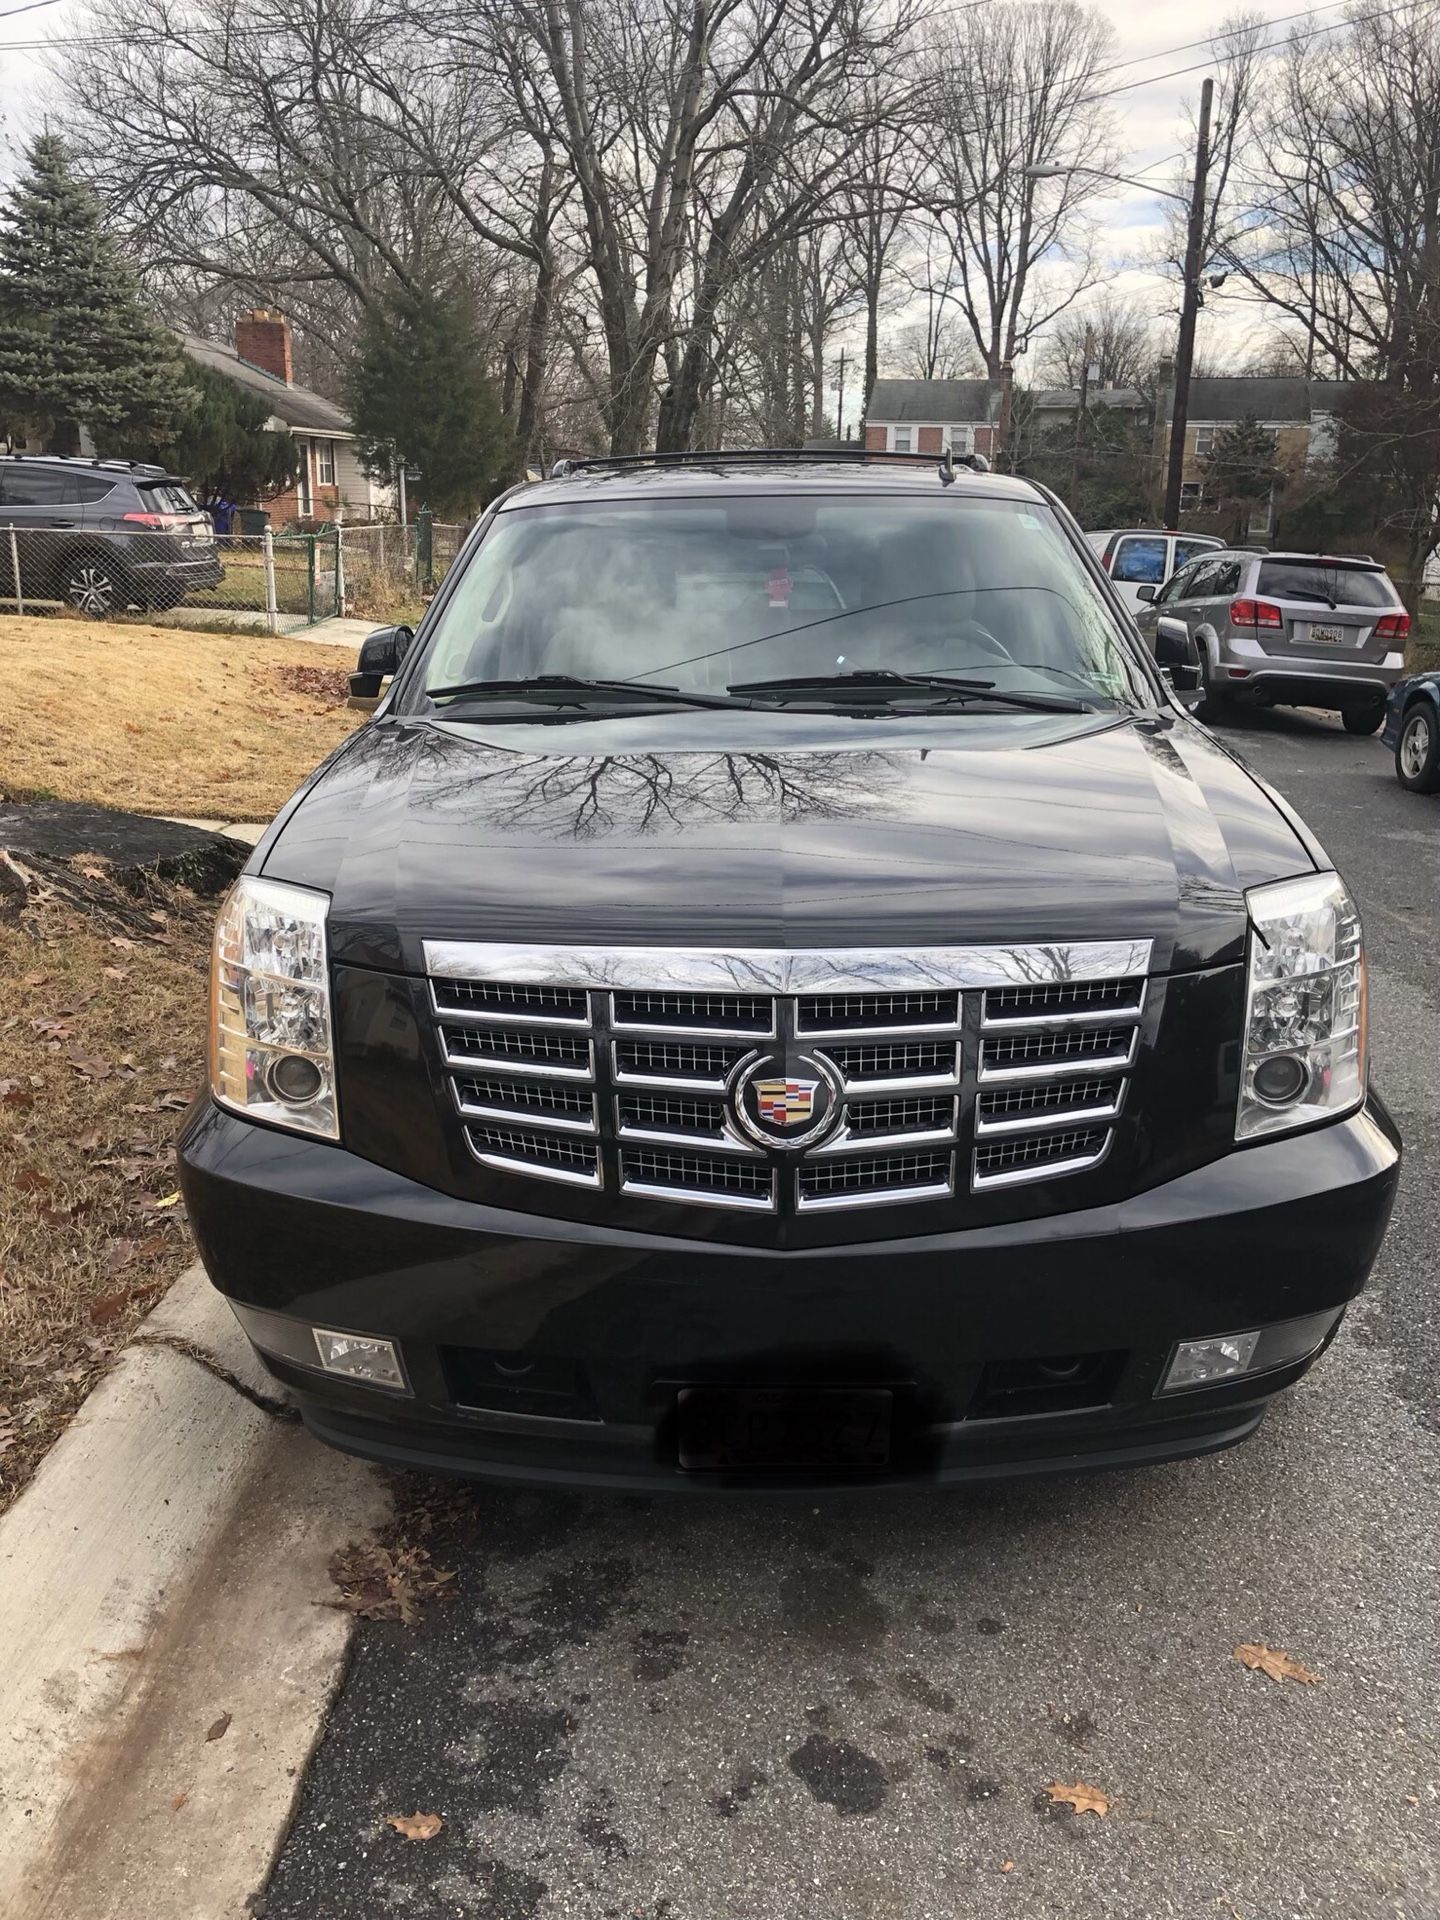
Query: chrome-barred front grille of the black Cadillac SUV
x=619, y=1068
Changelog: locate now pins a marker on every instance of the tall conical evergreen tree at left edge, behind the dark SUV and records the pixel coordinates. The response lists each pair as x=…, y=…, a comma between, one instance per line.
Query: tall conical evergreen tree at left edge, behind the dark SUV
x=76, y=345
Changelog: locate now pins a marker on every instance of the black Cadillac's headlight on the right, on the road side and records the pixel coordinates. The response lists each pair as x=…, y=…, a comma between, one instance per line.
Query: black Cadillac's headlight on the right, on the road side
x=1305, y=1026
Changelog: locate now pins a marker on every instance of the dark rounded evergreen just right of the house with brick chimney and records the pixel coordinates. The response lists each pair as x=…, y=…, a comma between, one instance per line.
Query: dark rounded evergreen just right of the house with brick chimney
x=420, y=395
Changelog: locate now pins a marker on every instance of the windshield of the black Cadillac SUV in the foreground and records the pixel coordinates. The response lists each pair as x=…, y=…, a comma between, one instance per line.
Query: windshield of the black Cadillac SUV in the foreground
x=708, y=594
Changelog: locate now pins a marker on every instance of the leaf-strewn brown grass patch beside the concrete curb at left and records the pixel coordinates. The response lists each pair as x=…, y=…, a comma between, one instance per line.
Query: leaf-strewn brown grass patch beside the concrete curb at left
x=101, y=1049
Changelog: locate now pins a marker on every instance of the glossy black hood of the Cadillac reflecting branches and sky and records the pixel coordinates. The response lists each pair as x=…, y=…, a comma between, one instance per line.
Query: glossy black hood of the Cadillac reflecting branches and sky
x=815, y=832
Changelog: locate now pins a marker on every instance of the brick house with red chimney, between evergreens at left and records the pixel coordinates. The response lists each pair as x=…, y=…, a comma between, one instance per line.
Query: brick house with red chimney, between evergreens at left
x=331, y=483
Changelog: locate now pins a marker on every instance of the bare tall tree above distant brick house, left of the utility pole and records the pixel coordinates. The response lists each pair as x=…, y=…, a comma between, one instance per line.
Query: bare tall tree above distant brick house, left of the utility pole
x=1017, y=89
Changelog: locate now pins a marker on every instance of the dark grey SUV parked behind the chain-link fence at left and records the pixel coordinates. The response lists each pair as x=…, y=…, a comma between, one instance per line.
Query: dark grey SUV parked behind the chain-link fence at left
x=101, y=535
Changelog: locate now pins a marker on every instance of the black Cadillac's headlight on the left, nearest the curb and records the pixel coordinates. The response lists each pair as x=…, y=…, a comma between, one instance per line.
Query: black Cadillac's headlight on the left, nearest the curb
x=270, y=1009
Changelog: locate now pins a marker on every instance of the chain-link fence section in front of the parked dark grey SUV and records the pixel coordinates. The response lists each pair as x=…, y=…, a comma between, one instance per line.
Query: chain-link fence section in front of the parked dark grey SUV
x=272, y=579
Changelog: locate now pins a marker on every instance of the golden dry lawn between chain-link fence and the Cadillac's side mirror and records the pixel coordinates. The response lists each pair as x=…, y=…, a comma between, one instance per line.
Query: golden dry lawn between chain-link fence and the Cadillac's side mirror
x=162, y=721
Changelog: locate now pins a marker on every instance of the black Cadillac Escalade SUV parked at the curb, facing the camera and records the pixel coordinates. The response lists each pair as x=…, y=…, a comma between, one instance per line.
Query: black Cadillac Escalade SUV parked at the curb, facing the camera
x=782, y=994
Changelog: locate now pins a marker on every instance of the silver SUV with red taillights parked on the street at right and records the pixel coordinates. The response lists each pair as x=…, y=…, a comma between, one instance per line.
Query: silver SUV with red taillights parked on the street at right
x=1287, y=629
